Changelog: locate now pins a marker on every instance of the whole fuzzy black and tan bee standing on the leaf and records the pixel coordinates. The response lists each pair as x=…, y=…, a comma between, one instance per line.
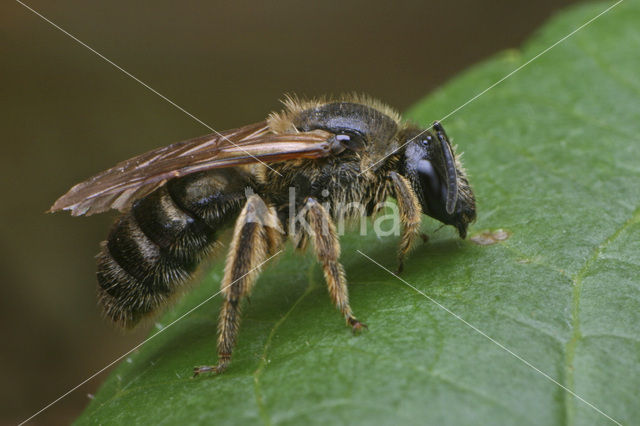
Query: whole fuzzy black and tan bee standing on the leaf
x=175, y=200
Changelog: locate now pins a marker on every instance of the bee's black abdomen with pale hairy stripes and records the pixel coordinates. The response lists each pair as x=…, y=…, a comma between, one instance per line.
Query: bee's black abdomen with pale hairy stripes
x=156, y=246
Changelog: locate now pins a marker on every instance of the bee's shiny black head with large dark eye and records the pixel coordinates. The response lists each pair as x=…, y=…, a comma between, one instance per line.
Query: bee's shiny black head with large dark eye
x=437, y=177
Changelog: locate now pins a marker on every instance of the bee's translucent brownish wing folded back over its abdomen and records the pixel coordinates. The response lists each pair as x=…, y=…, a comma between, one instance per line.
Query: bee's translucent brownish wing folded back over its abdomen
x=119, y=186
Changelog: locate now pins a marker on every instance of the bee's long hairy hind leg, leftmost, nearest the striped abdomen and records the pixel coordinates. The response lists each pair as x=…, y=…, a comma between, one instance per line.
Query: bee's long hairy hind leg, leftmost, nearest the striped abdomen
x=257, y=233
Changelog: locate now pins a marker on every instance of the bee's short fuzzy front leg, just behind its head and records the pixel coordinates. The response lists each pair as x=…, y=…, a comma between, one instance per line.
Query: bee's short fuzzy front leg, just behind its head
x=410, y=215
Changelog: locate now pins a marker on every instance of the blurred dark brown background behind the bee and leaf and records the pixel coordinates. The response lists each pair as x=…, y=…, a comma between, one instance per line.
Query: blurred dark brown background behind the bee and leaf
x=67, y=114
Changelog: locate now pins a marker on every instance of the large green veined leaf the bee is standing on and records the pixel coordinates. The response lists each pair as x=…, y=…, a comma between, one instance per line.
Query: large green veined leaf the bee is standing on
x=554, y=158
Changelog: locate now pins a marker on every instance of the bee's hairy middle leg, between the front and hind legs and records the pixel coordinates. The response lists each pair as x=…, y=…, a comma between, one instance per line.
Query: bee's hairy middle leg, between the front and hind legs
x=327, y=248
